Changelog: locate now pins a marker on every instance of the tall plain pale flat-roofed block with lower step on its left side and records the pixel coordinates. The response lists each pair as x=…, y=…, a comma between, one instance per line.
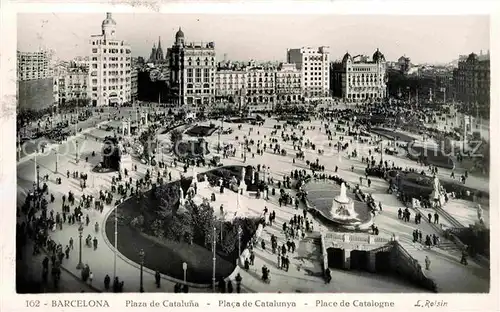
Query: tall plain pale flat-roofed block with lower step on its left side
x=313, y=64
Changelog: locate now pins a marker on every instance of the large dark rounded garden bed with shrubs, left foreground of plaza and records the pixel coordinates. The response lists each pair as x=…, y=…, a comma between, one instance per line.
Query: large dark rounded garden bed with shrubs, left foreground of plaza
x=168, y=255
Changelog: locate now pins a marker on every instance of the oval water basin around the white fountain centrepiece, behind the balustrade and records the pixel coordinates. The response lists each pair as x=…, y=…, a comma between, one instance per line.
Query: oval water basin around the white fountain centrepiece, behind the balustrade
x=321, y=195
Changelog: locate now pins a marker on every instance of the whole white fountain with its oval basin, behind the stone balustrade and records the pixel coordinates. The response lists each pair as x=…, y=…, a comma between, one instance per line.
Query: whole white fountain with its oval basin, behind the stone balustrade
x=339, y=210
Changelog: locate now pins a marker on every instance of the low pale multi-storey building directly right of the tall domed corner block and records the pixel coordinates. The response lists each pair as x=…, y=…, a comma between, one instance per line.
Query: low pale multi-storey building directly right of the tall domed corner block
x=230, y=85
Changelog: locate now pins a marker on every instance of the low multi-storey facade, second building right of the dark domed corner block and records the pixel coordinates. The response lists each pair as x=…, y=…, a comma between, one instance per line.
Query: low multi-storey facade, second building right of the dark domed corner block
x=260, y=88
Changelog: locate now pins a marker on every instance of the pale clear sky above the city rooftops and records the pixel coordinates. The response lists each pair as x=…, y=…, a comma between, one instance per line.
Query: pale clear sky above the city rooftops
x=425, y=39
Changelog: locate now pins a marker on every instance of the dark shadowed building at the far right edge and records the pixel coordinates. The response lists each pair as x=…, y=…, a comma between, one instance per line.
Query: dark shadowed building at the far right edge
x=472, y=82
